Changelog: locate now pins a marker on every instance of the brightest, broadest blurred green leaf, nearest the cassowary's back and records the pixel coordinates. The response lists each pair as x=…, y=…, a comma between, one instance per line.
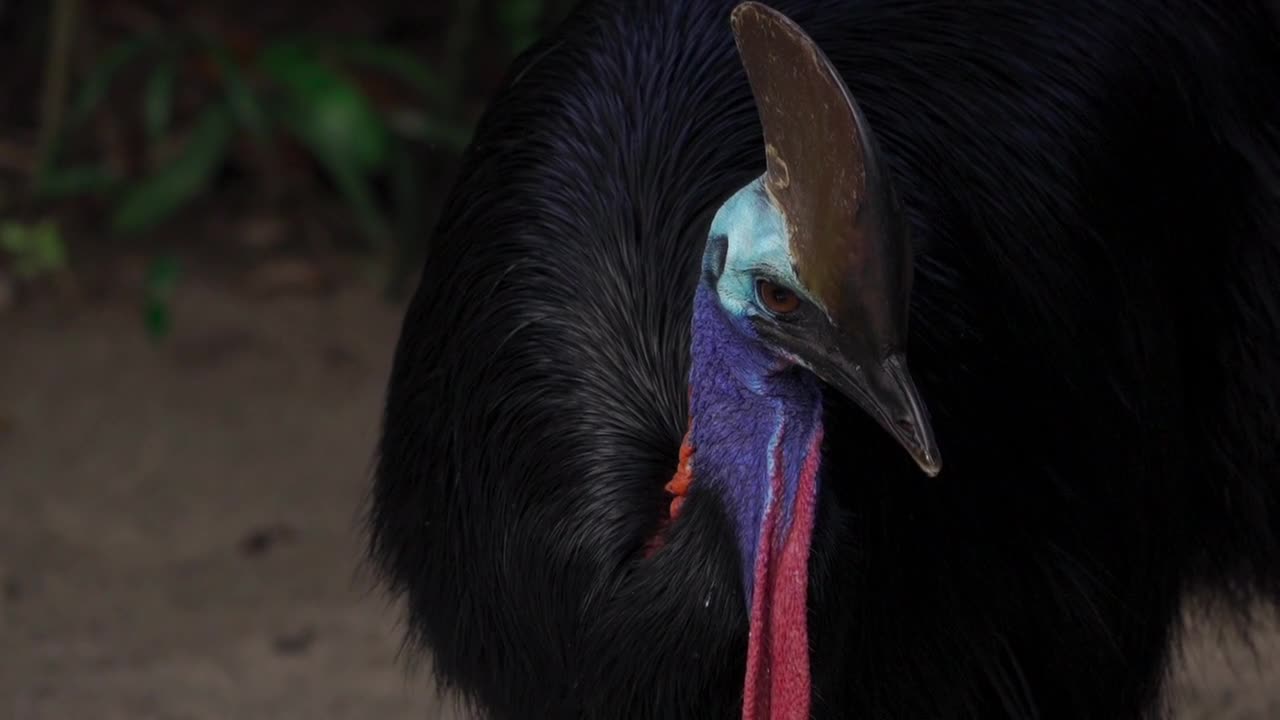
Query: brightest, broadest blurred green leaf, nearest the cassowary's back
x=327, y=113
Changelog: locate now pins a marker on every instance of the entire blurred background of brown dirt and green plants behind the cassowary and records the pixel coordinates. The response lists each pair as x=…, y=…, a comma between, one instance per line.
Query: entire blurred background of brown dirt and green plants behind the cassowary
x=212, y=216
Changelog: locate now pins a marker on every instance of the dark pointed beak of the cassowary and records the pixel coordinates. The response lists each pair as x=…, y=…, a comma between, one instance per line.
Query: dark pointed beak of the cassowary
x=888, y=393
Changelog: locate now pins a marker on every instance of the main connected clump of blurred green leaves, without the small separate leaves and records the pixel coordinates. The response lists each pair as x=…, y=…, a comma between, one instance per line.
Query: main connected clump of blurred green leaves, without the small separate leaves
x=300, y=88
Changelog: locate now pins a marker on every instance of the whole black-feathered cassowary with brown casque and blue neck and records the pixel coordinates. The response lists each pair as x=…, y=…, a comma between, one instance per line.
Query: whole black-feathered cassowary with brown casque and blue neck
x=660, y=440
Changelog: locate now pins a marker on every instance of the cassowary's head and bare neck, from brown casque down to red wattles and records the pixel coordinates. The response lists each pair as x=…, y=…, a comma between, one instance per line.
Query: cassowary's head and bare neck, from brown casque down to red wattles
x=807, y=277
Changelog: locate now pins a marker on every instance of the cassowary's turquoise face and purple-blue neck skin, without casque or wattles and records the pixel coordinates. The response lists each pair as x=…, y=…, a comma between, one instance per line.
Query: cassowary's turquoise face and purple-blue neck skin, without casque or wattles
x=749, y=402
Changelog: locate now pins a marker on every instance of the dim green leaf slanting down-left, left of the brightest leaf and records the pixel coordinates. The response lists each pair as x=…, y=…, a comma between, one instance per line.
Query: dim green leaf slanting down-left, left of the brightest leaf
x=185, y=177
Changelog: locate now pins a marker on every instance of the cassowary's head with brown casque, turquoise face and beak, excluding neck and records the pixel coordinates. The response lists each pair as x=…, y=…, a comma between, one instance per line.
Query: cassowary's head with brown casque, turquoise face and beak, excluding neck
x=813, y=259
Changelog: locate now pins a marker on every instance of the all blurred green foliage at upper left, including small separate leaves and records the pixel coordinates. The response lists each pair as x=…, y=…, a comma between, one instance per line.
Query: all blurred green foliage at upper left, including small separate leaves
x=304, y=89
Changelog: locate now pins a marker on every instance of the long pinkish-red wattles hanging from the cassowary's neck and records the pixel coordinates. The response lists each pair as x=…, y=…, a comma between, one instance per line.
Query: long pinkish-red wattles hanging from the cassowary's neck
x=778, y=657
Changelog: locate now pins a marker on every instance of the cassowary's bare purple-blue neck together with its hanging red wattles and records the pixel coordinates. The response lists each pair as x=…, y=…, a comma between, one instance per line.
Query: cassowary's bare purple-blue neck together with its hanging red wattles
x=757, y=432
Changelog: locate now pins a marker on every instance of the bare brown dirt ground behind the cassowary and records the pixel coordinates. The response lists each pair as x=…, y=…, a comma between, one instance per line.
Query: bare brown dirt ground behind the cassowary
x=180, y=523
